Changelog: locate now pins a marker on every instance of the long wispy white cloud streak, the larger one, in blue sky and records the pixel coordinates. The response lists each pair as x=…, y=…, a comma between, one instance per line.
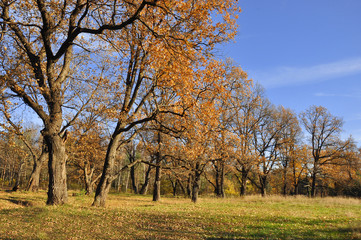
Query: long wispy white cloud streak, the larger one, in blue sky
x=287, y=76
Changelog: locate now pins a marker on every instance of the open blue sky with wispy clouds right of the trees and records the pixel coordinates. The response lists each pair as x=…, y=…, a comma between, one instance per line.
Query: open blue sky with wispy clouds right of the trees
x=304, y=52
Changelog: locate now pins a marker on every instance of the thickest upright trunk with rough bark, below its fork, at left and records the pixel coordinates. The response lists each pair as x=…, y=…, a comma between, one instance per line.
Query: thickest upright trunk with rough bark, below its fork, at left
x=57, y=191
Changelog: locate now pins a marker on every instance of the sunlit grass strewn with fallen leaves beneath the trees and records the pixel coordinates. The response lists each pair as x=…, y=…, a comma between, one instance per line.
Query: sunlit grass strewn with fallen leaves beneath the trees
x=25, y=216
